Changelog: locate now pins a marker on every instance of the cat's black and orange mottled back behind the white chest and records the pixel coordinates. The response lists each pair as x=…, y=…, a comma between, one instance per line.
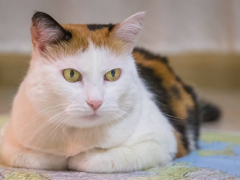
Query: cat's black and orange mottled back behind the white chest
x=175, y=99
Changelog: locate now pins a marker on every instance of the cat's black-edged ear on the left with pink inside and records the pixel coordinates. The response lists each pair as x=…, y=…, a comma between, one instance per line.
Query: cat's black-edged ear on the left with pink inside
x=45, y=30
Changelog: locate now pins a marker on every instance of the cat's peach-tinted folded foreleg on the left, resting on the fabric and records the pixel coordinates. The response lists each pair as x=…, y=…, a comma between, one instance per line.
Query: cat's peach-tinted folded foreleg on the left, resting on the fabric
x=14, y=155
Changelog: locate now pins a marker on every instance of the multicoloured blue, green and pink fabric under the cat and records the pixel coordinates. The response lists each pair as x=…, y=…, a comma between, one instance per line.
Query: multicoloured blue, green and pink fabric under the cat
x=217, y=158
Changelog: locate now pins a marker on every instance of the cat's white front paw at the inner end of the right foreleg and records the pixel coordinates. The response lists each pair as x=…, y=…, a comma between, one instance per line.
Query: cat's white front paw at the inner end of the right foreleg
x=90, y=161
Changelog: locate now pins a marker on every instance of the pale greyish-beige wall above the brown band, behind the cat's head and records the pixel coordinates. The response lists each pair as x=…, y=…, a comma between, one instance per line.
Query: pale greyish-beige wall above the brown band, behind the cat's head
x=171, y=26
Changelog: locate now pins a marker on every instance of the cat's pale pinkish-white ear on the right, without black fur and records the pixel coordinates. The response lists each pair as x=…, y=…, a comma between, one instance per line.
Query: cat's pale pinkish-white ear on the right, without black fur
x=128, y=30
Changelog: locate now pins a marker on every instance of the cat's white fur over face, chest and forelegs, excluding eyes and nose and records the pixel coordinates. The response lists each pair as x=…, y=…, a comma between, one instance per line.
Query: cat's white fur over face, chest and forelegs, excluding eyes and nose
x=52, y=126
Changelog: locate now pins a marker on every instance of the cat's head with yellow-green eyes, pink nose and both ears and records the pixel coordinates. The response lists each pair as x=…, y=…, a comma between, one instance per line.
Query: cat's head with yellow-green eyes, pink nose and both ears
x=83, y=75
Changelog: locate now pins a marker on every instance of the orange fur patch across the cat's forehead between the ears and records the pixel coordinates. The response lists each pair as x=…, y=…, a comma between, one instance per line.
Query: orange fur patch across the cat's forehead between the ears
x=80, y=41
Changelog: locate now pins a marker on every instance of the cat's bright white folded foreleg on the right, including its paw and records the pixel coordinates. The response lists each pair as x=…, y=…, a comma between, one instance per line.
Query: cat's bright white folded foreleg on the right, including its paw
x=122, y=159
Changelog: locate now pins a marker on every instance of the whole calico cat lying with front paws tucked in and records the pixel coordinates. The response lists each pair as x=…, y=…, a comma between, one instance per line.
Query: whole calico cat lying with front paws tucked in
x=92, y=102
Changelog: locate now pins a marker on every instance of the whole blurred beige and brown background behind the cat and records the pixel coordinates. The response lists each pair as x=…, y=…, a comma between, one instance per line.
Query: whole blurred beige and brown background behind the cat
x=200, y=37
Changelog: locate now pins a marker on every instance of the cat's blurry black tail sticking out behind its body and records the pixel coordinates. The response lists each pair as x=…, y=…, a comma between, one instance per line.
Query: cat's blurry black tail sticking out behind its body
x=210, y=111
